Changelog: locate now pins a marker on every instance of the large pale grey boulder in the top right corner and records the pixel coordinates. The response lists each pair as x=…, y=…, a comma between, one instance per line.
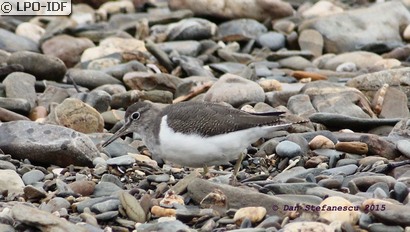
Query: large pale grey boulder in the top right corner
x=352, y=35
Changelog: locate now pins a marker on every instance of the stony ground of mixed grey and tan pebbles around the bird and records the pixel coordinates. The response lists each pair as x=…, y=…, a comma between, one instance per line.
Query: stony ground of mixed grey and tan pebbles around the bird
x=343, y=65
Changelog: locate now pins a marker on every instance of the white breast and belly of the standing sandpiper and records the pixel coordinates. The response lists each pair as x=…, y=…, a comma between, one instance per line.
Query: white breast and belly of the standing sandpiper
x=196, y=151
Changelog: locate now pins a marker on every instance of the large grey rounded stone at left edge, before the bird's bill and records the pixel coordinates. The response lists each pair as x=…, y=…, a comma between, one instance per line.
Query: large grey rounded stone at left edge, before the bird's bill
x=46, y=144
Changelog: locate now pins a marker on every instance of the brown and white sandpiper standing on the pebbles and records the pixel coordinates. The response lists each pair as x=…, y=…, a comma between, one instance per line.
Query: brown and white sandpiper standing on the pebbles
x=198, y=134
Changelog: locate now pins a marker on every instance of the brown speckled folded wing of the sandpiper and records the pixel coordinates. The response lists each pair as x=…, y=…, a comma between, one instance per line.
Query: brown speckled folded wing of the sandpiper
x=208, y=119
